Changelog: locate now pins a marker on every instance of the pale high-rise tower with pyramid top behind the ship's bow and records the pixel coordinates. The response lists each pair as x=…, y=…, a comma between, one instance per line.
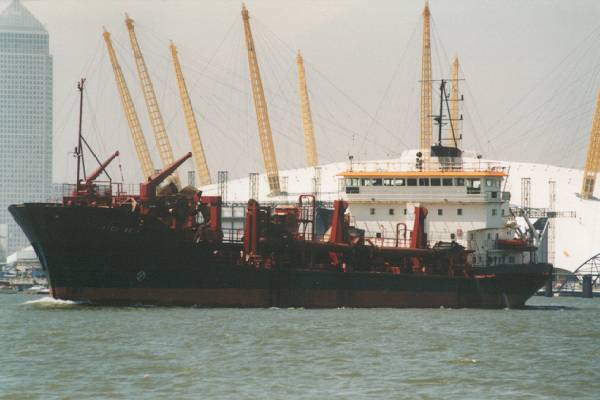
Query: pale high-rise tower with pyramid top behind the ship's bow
x=25, y=116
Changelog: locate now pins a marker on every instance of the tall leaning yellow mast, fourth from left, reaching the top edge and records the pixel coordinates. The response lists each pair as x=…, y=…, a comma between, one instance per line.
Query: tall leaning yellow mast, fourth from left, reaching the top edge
x=260, y=105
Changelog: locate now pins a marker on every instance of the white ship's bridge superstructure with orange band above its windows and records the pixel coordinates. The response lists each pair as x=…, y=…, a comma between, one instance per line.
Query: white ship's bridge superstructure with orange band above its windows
x=460, y=196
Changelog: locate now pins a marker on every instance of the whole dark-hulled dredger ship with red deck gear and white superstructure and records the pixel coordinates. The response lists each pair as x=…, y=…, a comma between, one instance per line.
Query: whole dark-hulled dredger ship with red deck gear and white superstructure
x=165, y=246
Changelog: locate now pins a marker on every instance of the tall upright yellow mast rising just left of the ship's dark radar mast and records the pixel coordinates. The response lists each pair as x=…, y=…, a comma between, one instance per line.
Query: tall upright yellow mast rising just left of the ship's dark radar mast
x=426, y=84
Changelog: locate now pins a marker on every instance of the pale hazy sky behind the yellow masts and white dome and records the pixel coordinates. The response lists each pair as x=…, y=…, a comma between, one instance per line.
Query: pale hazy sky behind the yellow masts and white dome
x=531, y=72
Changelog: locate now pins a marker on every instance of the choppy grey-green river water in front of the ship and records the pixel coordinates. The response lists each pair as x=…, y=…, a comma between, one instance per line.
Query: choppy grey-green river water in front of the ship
x=53, y=349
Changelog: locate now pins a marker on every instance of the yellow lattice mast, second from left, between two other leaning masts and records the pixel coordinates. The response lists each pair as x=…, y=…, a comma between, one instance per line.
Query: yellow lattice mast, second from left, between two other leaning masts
x=158, y=126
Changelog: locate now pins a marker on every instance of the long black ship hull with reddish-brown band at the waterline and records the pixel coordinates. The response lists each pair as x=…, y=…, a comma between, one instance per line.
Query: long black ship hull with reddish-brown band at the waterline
x=115, y=256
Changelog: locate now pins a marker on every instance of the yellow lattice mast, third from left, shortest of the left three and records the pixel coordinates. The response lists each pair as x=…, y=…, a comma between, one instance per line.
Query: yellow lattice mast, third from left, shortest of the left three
x=190, y=119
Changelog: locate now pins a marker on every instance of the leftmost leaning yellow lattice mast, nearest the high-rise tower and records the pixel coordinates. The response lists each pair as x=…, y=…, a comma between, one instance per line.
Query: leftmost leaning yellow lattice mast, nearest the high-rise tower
x=139, y=141
